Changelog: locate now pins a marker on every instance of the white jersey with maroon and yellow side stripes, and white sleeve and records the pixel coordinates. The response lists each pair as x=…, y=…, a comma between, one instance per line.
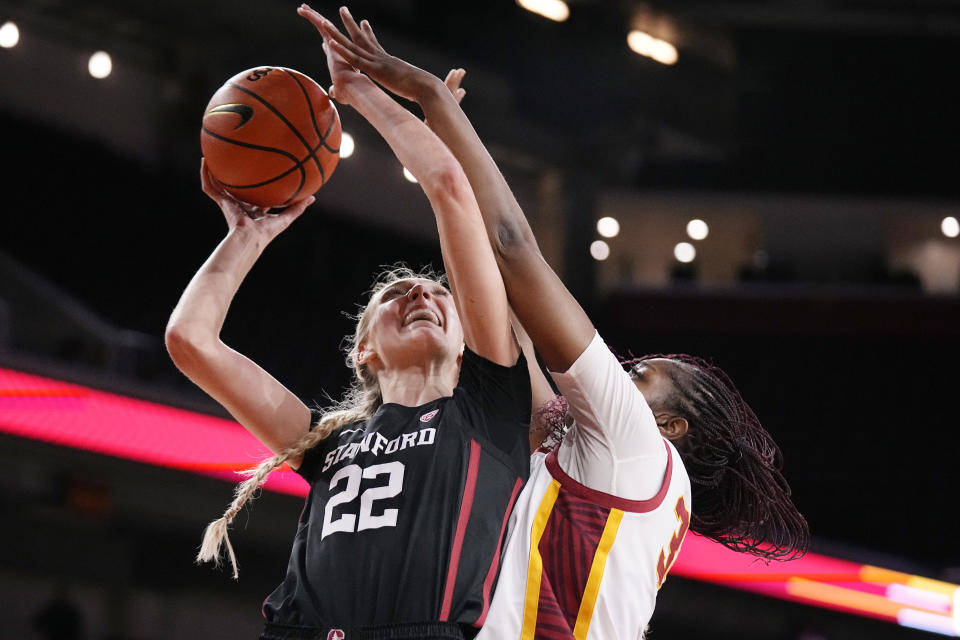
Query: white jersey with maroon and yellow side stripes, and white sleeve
x=600, y=521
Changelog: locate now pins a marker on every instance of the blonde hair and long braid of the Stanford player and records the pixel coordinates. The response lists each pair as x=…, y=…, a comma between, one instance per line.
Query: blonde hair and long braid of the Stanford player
x=359, y=402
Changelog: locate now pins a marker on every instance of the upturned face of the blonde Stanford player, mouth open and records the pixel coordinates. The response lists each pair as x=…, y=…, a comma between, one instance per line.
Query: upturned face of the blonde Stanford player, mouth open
x=415, y=321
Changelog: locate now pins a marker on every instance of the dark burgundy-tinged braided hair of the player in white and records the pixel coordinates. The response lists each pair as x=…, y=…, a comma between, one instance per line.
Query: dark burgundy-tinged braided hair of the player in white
x=740, y=496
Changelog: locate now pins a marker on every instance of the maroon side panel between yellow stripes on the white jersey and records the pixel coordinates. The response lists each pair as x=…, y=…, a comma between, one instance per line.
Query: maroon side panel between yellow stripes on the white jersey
x=567, y=547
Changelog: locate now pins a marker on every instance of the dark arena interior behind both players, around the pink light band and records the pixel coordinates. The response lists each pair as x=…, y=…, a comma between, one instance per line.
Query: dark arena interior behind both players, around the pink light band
x=818, y=140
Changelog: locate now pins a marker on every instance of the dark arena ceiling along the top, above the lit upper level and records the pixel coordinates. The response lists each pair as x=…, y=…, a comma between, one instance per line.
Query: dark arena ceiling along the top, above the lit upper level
x=824, y=96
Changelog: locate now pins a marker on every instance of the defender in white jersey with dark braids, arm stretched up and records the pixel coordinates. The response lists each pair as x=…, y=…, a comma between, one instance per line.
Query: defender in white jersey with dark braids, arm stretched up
x=669, y=446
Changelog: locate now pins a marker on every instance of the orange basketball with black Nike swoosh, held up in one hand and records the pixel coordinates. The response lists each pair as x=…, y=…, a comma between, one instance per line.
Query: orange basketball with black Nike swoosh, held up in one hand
x=271, y=136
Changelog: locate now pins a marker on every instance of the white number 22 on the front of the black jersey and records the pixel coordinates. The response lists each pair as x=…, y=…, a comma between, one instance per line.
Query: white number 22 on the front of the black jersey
x=353, y=474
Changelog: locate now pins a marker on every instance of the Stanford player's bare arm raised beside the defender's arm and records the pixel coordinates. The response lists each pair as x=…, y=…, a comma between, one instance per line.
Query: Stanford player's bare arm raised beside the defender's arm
x=471, y=267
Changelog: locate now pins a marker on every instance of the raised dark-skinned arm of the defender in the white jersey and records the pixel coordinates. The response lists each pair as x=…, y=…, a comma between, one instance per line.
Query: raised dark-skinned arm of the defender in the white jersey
x=531, y=283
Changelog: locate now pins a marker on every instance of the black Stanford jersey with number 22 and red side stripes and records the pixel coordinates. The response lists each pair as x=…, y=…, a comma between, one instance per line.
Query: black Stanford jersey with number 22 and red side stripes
x=407, y=510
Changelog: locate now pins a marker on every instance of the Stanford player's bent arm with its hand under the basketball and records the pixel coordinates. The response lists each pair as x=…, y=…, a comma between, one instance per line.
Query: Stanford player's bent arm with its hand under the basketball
x=257, y=400
